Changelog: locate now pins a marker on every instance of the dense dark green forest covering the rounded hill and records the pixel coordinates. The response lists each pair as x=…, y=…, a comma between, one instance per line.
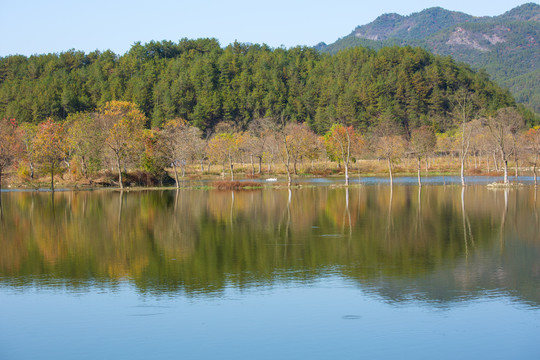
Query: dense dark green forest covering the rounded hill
x=204, y=83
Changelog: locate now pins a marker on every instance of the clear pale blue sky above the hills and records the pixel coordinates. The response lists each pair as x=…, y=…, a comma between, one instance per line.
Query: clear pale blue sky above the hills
x=36, y=27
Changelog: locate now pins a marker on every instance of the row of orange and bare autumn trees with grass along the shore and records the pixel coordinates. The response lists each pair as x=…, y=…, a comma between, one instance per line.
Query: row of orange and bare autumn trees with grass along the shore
x=89, y=151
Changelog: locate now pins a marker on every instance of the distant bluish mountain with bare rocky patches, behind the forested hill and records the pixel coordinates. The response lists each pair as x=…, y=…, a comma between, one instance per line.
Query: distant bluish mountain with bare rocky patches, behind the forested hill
x=506, y=46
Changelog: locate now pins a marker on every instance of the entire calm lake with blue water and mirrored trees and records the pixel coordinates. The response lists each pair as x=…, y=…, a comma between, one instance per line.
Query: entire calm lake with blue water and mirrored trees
x=318, y=272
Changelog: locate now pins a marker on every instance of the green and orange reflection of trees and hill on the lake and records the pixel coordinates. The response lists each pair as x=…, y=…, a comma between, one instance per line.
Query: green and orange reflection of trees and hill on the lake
x=202, y=240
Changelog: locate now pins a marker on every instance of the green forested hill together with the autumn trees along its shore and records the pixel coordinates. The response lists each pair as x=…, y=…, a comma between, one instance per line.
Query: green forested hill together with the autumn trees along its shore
x=164, y=111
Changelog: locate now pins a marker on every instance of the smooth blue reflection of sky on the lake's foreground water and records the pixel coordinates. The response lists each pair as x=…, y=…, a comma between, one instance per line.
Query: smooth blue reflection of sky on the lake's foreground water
x=325, y=319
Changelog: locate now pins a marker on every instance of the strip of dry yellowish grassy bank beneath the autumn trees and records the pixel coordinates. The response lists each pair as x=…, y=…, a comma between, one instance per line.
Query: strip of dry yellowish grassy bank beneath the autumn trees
x=214, y=176
